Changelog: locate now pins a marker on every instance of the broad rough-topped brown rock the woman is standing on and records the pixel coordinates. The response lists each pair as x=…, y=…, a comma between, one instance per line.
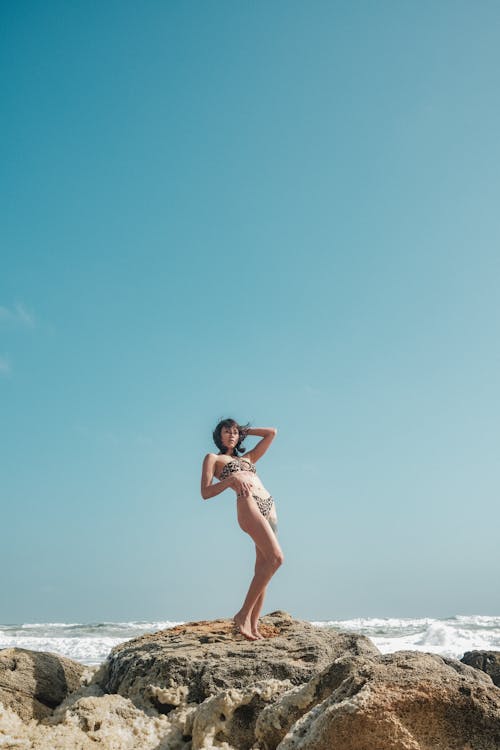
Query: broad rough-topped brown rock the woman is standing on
x=191, y=662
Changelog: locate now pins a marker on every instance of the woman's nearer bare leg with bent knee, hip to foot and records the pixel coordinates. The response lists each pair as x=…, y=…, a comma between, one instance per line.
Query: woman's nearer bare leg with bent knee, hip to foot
x=254, y=524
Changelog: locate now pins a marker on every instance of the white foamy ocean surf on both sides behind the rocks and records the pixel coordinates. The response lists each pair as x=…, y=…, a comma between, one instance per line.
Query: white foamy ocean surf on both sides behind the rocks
x=91, y=643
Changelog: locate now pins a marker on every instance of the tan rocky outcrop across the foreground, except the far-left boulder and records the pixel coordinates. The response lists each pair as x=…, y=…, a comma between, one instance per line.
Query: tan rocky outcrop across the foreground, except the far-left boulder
x=200, y=687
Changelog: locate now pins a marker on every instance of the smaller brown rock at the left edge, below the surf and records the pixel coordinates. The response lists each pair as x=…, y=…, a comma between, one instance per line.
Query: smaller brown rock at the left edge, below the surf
x=33, y=683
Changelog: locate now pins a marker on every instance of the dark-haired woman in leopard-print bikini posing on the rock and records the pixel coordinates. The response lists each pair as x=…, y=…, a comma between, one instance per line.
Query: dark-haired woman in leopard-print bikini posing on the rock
x=255, y=506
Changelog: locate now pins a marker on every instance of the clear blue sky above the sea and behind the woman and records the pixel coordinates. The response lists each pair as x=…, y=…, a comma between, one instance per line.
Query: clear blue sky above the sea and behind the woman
x=283, y=212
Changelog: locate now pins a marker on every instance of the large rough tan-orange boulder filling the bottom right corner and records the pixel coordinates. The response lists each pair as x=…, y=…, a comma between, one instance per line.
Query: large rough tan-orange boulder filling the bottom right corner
x=400, y=701
